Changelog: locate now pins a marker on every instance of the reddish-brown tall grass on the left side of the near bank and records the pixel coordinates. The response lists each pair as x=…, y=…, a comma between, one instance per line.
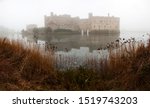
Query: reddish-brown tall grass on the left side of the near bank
x=21, y=68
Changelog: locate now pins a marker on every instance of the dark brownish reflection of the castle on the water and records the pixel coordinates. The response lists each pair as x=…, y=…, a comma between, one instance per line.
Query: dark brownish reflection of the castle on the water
x=70, y=42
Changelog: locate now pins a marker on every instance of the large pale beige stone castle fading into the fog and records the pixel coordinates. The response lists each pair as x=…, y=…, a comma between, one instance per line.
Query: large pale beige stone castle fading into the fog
x=91, y=24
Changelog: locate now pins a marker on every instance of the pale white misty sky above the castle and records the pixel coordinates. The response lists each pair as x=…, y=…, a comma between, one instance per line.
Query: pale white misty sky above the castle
x=134, y=14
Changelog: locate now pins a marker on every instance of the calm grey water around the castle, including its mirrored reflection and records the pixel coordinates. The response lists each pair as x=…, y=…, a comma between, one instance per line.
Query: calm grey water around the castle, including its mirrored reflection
x=74, y=50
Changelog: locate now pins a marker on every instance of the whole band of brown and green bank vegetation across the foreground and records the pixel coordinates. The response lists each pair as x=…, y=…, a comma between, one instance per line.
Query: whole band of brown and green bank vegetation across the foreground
x=22, y=68
